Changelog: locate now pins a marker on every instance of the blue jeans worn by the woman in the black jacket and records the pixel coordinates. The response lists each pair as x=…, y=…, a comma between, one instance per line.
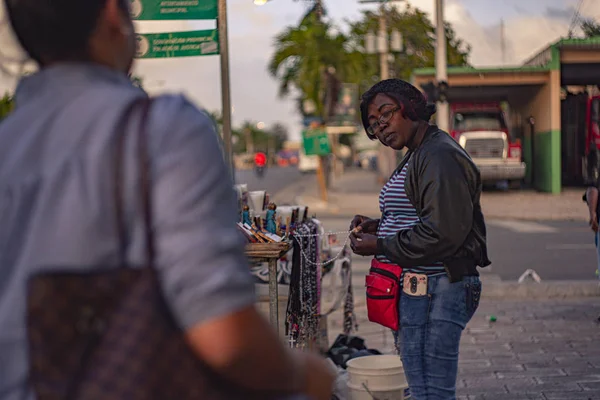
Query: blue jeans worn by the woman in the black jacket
x=429, y=335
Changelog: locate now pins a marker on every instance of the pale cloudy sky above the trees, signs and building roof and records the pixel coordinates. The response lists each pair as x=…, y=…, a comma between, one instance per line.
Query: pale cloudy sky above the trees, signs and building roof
x=529, y=25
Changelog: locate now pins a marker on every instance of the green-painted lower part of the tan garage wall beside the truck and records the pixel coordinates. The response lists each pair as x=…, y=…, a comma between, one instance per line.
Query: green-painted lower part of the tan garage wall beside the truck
x=547, y=161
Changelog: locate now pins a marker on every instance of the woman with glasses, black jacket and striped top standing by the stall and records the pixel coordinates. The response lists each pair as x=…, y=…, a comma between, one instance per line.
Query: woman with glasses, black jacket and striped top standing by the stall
x=431, y=230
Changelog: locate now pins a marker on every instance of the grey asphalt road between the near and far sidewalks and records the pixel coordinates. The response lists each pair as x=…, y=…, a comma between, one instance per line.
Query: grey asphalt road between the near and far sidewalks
x=555, y=250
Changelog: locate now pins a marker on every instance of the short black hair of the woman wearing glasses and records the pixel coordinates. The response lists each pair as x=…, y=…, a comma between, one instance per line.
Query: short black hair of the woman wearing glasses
x=416, y=107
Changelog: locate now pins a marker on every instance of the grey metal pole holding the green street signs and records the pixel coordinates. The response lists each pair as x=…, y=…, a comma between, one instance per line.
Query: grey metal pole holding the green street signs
x=225, y=85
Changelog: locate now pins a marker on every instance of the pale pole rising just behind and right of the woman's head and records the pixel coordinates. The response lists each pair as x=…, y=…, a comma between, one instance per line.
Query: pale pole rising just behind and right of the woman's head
x=441, y=61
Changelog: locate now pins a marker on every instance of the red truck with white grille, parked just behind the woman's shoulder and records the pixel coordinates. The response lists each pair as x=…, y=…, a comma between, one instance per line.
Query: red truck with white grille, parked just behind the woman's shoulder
x=481, y=129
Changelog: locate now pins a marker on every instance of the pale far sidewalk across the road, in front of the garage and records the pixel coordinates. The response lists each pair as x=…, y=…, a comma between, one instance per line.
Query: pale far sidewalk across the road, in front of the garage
x=357, y=191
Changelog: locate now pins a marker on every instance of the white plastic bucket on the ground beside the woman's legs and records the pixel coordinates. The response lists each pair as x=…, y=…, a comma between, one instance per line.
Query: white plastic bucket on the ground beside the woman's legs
x=379, y=377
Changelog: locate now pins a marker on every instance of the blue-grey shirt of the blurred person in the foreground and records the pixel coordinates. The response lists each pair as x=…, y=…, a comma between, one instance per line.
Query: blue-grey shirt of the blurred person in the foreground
x=57, y=210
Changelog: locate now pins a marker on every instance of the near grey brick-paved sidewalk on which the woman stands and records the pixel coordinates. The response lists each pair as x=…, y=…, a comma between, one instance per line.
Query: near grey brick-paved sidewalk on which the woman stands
x=545, y=350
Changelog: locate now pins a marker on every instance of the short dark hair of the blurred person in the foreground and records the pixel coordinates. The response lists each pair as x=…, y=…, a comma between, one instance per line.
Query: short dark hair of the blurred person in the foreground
x=56, y=30
